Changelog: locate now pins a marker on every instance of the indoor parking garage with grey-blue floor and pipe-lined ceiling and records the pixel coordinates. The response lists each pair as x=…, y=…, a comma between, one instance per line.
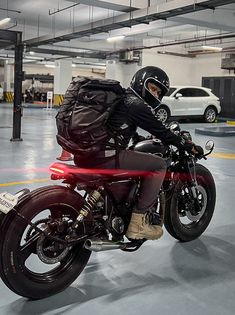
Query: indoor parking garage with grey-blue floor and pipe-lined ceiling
x=42, y=49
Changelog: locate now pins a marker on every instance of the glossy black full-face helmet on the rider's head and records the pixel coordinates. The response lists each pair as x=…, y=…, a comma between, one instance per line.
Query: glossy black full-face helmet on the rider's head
x=150, y=74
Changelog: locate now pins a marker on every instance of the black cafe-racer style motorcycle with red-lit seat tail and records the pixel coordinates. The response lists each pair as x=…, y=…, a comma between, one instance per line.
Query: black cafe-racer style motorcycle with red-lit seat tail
x=58, y=226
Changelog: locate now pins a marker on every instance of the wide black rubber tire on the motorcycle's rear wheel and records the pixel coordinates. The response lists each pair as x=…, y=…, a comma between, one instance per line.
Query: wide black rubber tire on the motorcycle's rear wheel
x=14, y=252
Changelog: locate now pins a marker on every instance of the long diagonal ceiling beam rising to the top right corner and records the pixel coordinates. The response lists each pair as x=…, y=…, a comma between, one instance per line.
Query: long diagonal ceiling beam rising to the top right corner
x=152, y=13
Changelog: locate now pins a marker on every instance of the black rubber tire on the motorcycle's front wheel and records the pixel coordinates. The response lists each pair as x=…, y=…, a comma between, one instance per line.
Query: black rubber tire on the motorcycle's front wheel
x=194, y=228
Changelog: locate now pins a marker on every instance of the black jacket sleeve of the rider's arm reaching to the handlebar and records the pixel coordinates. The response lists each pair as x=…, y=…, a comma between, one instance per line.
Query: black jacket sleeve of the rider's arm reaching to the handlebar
x=141, y=115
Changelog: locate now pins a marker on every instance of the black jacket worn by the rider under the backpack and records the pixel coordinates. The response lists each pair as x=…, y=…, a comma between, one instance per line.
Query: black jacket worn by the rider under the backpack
x=124, y=121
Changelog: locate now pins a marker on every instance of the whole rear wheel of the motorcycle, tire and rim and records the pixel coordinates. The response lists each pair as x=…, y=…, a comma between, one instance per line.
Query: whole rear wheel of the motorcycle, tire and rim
x=33, y=265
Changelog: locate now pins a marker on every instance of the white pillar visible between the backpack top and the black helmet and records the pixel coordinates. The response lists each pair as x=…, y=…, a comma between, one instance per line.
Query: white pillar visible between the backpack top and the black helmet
x=121, y=71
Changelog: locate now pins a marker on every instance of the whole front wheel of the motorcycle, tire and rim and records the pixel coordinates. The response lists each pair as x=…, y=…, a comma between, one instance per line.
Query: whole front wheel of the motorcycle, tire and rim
x=182, y=220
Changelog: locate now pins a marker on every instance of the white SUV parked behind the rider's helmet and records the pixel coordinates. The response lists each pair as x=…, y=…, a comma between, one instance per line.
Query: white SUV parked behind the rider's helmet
x=189, y=101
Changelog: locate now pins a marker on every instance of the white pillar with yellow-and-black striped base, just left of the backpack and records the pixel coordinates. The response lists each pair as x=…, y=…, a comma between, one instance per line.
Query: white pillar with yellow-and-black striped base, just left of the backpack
x=62, y=78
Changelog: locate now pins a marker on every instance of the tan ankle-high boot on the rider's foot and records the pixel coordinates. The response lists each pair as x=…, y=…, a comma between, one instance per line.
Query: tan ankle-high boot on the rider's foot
x=139, y=228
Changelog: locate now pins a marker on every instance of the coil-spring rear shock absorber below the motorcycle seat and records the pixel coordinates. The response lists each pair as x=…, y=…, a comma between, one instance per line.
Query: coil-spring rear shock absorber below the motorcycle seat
x=88, y=206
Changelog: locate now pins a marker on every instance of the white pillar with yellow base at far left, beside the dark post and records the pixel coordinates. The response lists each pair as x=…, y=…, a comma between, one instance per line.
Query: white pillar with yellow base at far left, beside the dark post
x=8, y=87
